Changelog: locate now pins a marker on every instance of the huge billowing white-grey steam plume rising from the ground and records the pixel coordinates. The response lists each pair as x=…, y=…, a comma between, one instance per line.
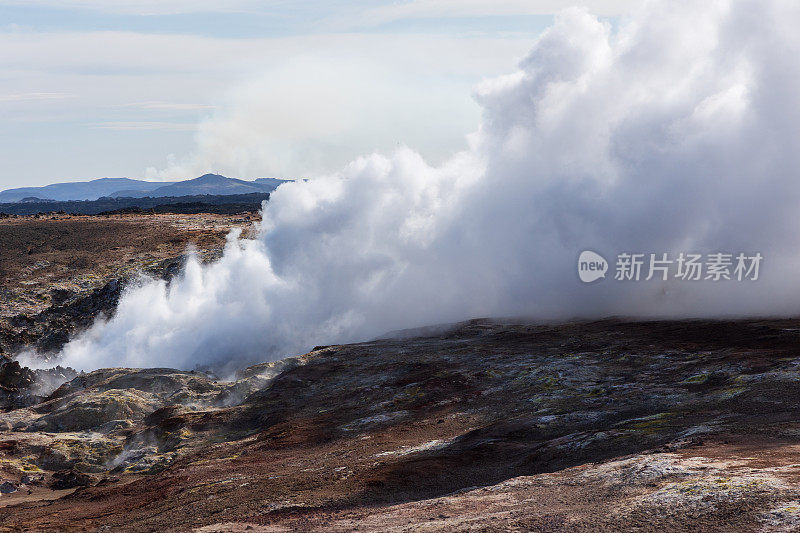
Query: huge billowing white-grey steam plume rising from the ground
x=675, y=133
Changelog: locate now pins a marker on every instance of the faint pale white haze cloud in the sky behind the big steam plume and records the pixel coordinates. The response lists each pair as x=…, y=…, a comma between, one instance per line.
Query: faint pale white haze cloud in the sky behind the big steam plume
x=318, y=112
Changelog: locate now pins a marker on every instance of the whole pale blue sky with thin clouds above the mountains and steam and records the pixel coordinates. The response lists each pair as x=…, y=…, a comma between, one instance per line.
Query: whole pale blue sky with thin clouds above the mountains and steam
x=174, y=88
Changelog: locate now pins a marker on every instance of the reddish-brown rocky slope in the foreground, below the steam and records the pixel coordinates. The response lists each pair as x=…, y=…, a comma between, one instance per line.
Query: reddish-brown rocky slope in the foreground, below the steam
x=482, y=426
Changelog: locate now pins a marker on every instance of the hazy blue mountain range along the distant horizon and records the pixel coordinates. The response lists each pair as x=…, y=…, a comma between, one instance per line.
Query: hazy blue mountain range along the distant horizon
x=212, y=184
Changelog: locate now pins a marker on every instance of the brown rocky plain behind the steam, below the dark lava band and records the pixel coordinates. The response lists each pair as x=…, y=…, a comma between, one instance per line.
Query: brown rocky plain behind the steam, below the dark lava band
x=58, y=272
